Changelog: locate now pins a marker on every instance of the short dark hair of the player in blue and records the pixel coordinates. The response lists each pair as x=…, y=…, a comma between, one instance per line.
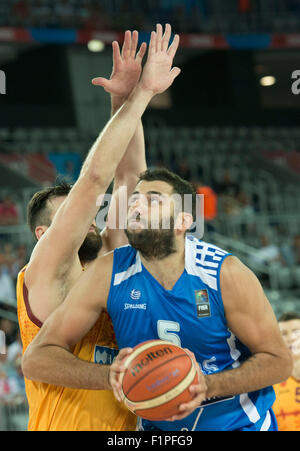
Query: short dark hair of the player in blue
x=179, y=185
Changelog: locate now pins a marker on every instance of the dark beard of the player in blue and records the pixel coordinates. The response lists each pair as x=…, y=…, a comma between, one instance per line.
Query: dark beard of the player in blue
x=153, y=243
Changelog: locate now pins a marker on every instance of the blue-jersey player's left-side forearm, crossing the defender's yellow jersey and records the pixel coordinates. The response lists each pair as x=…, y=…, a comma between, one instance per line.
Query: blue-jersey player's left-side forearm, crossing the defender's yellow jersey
x=57, y=366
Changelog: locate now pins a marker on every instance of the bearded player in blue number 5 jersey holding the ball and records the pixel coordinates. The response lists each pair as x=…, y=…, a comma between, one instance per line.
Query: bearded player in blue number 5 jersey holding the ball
x=194, y=294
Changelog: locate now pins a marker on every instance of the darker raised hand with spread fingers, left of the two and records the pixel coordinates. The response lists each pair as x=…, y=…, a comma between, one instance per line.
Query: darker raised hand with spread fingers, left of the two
x=127, y=67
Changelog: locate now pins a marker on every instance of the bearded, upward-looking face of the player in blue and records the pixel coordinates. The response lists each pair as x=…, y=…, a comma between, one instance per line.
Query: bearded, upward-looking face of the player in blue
x=150, y=219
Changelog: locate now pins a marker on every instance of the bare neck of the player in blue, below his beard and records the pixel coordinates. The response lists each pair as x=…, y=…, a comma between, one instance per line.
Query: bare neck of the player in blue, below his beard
x=167, y=270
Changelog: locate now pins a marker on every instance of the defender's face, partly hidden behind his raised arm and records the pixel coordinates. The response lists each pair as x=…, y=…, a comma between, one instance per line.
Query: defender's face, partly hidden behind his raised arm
x=92, y=243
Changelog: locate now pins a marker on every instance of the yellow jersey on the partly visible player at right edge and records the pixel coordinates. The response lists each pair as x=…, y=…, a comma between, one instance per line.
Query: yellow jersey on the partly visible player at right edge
x=287, y=405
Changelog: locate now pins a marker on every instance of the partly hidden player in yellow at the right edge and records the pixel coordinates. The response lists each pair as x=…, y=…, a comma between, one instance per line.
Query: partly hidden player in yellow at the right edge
x=287, y=404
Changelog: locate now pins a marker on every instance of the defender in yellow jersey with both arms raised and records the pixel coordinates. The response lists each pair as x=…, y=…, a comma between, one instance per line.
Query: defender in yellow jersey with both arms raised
x=62, y=220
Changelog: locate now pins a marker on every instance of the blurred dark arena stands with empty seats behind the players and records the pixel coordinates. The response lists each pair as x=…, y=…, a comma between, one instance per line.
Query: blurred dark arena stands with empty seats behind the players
x=229, y=124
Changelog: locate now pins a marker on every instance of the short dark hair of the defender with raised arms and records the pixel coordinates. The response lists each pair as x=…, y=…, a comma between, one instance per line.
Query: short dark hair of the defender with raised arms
x=38, y=212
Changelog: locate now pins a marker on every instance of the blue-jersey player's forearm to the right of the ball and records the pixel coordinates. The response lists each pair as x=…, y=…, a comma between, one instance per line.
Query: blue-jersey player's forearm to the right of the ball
x=259, y=371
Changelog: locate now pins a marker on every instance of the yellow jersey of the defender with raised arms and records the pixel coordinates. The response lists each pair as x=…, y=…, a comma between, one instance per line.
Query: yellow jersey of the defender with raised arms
x=53, y=408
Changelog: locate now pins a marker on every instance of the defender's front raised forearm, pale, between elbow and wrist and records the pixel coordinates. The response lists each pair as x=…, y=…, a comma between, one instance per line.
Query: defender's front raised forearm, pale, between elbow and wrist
x=110, y=146
